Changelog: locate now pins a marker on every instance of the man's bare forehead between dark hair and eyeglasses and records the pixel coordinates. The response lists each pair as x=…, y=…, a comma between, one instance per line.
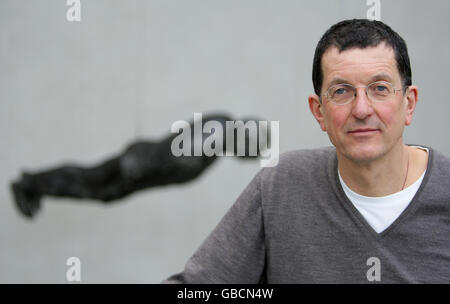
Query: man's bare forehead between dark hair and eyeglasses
x=378, y=59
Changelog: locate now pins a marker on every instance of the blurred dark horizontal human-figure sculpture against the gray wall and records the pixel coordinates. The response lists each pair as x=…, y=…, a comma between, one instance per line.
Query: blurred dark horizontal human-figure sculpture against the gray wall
x=142, y=164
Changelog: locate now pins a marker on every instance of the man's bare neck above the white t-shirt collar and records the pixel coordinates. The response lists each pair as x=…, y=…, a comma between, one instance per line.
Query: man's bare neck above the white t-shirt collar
x=386, y=175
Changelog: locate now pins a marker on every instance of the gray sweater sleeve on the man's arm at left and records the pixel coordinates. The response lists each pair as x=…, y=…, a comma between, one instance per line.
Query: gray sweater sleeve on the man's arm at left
x=234, y=252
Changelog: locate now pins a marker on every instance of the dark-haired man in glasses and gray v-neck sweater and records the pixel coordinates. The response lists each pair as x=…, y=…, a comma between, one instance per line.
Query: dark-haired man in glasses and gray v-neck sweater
x=369, y=209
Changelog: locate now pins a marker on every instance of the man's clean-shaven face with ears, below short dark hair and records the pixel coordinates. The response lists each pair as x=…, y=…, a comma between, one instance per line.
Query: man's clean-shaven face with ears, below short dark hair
x=363, y=130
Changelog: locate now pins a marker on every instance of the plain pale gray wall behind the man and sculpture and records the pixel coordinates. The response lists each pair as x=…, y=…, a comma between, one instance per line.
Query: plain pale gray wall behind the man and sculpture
x=79, y=92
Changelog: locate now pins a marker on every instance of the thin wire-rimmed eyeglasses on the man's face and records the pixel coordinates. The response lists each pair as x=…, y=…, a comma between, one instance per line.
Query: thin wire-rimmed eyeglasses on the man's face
x=378, y=91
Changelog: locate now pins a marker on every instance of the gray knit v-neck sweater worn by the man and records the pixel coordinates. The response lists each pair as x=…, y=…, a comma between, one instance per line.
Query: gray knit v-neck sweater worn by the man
x=294, y=224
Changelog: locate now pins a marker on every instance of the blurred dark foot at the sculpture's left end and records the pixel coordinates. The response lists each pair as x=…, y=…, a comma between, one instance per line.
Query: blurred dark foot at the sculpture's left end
x=27, y=201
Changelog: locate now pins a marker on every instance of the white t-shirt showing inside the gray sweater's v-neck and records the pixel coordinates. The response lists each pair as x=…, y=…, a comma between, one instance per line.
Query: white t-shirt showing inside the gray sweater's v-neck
x=381, y=212
